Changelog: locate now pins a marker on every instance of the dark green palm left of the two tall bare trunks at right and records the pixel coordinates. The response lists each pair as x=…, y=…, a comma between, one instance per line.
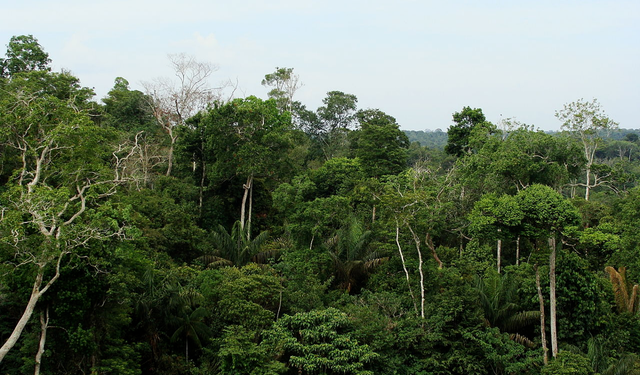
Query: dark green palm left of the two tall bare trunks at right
x=496, y=295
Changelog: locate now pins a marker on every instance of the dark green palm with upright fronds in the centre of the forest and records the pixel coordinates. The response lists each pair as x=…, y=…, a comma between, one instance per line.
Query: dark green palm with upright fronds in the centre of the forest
x=353, y=256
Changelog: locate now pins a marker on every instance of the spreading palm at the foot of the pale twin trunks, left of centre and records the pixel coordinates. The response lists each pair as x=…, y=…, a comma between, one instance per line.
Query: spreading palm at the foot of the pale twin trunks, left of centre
x=235, y=247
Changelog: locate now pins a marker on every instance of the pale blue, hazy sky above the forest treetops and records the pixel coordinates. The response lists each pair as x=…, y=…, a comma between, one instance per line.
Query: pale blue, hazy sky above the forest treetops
x=418, y=61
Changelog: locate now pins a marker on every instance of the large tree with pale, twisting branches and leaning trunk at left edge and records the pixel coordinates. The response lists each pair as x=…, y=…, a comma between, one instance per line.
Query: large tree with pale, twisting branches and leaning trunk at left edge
x=49, y=205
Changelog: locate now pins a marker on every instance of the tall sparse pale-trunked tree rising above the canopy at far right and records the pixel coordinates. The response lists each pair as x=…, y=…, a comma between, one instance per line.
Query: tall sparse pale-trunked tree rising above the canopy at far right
x=587, y=122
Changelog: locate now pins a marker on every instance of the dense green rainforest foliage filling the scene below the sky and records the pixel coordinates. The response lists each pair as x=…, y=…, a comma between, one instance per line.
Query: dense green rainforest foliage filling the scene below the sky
x=291, y=241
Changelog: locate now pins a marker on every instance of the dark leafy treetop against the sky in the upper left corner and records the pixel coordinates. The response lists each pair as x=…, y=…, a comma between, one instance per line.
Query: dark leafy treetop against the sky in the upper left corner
x=24, y=54
